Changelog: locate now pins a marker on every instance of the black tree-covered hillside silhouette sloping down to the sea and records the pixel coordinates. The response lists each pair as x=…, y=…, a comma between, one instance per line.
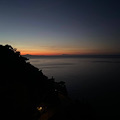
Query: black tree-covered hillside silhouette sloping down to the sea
x=27, y=94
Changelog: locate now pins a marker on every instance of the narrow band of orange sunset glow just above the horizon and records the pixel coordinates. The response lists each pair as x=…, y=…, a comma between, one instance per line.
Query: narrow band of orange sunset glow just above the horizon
x=63, y=51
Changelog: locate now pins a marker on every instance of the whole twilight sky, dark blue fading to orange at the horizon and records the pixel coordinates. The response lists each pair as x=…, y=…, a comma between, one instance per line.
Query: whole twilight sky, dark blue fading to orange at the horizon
x=56, y=27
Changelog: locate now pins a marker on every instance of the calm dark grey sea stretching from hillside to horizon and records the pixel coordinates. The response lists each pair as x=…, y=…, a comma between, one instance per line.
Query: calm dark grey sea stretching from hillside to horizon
x=91, y=80
